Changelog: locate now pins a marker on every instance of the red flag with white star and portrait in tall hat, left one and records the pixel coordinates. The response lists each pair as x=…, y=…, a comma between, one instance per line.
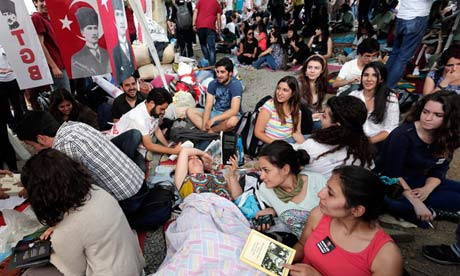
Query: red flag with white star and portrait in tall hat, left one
x=81, y=39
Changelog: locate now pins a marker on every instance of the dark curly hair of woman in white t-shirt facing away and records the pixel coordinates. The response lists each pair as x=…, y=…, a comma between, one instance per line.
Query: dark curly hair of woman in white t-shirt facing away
x=349, y=114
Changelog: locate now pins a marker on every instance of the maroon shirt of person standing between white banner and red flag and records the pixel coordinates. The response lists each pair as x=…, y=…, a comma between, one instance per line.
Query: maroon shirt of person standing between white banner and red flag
x=43, y=27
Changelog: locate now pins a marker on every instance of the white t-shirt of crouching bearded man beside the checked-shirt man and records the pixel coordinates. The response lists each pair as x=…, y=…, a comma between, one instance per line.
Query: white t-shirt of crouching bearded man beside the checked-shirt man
x=137, y=118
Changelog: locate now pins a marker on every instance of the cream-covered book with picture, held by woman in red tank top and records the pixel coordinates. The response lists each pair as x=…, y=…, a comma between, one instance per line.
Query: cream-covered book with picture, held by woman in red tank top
x=266, y=254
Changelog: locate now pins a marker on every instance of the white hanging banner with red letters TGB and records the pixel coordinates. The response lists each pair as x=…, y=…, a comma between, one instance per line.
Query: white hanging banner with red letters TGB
x=22, y=46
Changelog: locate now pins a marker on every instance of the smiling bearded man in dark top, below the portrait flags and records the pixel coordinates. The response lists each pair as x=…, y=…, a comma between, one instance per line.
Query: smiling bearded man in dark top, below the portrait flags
x=128, y=100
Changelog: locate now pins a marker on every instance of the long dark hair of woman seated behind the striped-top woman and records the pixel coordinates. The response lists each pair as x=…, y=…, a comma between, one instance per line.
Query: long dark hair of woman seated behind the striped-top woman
x=320, y=83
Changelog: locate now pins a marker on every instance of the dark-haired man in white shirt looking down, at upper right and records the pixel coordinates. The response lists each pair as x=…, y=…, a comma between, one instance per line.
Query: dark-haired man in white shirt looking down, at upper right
x=349, y=77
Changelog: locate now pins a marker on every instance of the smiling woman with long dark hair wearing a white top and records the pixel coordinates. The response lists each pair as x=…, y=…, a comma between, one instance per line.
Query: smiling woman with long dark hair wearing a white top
x=381, y=102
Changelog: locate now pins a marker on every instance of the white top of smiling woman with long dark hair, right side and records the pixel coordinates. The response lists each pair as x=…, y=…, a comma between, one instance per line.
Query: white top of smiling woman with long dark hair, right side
x=390, y=121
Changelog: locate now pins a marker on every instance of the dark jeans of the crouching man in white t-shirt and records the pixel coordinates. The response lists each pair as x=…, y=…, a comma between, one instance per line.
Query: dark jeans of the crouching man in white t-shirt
x=128, y=142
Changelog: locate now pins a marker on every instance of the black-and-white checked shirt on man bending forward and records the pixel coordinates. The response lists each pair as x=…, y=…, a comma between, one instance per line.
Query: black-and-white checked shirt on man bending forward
x=109, y=167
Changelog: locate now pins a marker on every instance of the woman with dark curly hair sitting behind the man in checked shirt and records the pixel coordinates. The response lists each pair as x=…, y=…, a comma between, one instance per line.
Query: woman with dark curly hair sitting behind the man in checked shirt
x=64, y=107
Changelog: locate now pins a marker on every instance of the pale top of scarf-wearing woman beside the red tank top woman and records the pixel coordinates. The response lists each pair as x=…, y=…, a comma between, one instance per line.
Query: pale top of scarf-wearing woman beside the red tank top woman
x=294, y=215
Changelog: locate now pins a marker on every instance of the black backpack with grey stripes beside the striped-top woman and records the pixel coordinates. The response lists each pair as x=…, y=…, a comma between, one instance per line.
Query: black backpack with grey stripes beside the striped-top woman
x=245, y=129
